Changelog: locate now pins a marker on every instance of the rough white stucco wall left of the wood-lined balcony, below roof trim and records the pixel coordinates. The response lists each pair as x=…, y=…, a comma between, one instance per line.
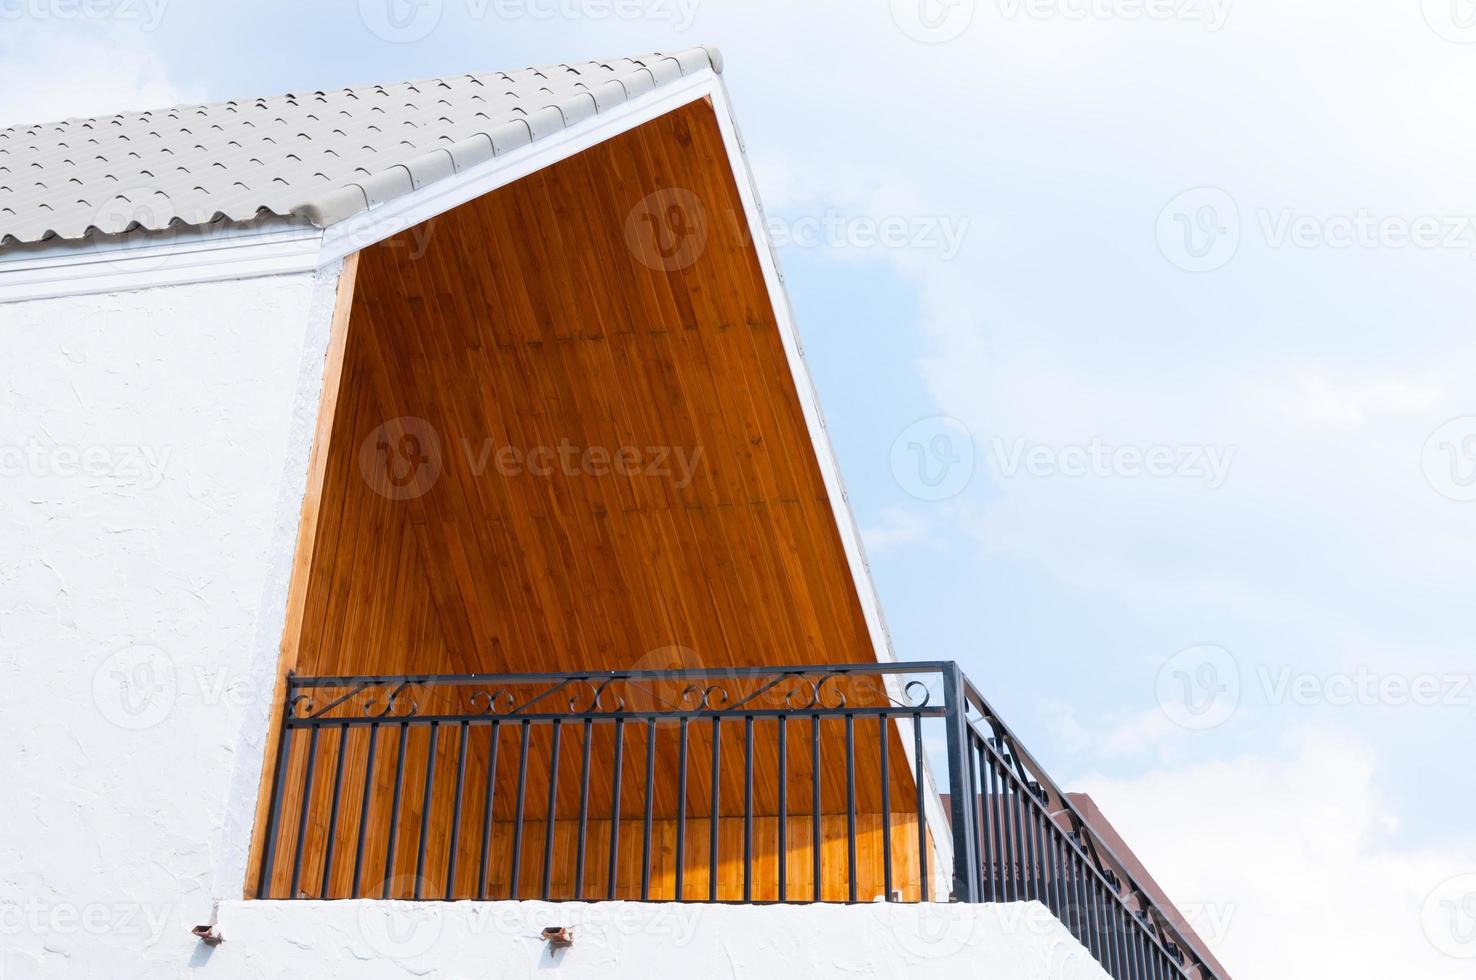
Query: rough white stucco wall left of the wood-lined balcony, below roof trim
x=153, y=457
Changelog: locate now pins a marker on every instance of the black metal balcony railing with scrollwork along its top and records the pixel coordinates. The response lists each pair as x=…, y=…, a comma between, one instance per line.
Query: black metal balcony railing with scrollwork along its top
x=767, y=784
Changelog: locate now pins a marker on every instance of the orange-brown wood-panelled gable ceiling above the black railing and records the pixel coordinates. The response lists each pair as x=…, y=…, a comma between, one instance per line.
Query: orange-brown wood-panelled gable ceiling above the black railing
x=568, y=438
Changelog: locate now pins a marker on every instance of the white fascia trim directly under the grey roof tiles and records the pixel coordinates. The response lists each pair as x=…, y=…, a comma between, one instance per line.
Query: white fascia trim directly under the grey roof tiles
x=280, y=246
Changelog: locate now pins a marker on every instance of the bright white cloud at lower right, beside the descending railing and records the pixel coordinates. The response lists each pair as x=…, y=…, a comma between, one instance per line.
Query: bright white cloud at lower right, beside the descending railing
x=1291, y=864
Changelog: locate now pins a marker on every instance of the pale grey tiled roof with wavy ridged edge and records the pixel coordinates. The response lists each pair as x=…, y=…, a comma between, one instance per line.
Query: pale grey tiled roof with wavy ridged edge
x=320, y=156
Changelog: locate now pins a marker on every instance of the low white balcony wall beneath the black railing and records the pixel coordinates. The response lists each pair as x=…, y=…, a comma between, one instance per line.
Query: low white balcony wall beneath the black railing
x=616, y=941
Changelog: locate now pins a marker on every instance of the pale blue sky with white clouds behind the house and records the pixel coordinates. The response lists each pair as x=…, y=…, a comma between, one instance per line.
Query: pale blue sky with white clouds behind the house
x=1239, y=231
